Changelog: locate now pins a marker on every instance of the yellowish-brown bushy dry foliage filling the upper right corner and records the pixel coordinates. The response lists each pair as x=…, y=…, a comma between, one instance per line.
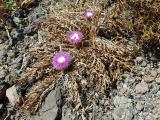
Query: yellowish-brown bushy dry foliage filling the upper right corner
x=138, y=19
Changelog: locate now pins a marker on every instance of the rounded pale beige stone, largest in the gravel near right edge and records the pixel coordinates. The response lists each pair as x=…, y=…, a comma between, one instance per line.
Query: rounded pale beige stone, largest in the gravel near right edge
x=142, y=88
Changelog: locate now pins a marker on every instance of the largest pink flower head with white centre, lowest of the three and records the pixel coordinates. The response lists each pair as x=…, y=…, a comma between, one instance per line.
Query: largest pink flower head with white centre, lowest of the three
x=61, y=60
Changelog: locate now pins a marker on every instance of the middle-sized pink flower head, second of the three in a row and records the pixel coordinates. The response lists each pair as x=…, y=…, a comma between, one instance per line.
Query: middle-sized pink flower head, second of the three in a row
x=75, y=37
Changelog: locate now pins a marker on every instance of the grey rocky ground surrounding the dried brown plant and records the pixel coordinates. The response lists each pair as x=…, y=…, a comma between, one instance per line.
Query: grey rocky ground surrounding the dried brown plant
x=132, y=98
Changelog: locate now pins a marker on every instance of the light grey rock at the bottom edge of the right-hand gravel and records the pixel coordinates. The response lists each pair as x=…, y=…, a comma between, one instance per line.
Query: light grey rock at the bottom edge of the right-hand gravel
x=121, y=113
